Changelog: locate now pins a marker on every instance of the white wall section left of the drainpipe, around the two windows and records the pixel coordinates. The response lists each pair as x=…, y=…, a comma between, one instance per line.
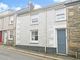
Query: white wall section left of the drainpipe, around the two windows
x=24, y=28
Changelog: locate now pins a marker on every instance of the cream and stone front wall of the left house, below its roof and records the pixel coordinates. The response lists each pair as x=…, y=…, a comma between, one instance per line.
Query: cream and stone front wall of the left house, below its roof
x=6, y=27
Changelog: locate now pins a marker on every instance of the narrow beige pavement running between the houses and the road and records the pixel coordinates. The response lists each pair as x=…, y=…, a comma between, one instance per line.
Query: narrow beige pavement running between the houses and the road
x=40, y=55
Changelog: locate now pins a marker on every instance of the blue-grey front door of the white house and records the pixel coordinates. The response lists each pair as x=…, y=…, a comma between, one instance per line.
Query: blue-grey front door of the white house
x=61, y=40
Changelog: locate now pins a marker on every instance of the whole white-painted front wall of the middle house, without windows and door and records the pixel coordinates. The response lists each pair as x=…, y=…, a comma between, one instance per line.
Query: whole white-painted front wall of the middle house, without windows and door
x=24, y=27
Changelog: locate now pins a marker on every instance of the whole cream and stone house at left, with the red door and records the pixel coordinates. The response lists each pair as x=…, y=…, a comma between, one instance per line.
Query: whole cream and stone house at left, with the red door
x=7, y=27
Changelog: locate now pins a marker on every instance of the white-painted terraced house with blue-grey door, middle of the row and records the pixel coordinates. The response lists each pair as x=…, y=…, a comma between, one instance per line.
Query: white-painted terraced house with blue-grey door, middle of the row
x=42, y=30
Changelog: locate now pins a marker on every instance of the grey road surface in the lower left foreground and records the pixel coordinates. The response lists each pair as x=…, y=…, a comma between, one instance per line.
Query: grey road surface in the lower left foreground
x=5, y=54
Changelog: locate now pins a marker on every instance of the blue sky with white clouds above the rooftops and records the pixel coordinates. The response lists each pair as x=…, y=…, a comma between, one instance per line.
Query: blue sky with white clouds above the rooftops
x=19, y=4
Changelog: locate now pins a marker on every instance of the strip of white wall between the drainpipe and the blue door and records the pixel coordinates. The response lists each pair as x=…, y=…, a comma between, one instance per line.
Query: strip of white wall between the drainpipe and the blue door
x=50, y=28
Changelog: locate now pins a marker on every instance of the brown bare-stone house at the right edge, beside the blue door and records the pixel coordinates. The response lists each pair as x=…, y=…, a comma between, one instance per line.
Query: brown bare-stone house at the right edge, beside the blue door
x=73, y=26
